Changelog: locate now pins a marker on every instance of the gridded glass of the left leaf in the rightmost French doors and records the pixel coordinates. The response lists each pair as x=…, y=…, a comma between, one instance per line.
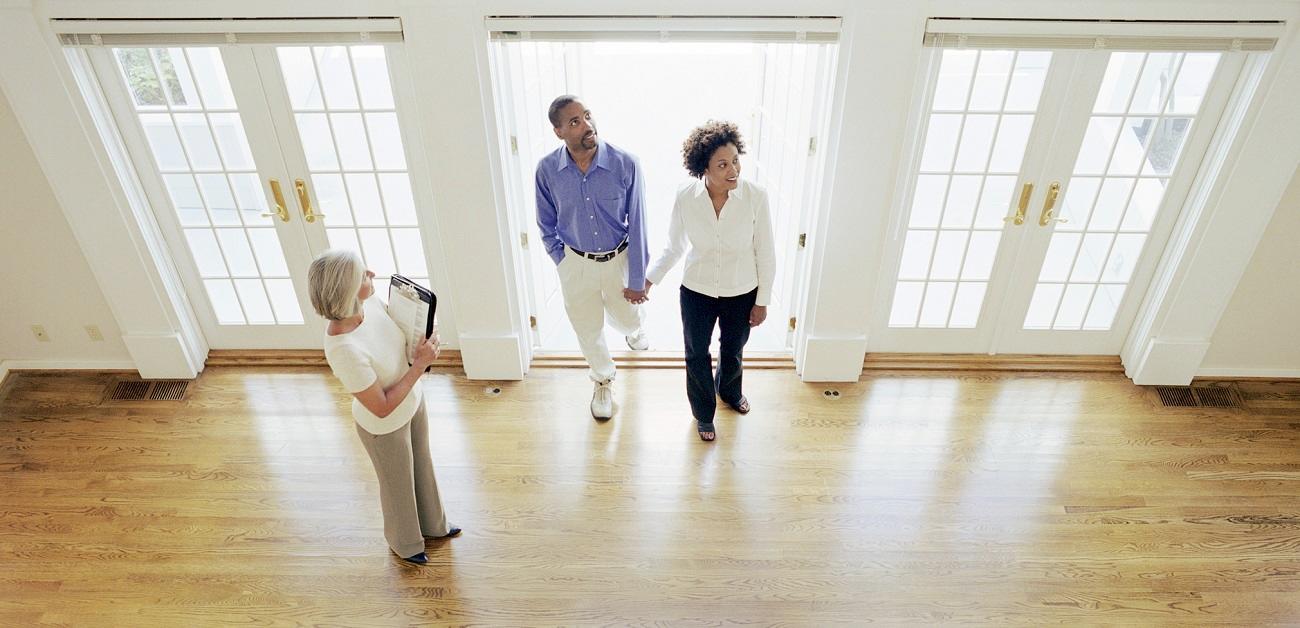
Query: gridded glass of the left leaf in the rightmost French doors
x=977, y=132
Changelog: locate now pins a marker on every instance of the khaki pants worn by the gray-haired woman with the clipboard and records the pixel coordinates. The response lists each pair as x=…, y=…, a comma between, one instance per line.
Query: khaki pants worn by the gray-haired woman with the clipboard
x=409, y=492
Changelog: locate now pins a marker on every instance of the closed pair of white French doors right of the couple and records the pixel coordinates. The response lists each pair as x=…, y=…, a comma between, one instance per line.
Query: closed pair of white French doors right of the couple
x=1041, y=196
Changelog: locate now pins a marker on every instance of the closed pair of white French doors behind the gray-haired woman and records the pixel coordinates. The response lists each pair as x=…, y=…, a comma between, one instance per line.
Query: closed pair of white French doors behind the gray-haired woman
x=258, y=158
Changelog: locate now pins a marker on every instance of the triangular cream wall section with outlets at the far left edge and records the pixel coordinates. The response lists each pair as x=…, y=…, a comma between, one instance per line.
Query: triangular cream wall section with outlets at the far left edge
x=47, y=279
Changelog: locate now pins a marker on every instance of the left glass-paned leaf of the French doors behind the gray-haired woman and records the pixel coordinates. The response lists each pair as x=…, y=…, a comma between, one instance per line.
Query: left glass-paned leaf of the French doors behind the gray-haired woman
x=179, y=112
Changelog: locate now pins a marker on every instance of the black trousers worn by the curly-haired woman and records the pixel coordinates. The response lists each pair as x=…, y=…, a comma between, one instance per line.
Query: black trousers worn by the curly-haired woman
x=700, y=314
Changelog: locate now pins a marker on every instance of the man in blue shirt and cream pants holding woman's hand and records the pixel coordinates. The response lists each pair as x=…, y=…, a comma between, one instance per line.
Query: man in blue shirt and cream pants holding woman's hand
x=591, y=198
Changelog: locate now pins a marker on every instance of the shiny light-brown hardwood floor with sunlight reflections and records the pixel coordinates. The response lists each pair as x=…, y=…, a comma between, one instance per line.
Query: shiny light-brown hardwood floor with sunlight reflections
x=912, y=497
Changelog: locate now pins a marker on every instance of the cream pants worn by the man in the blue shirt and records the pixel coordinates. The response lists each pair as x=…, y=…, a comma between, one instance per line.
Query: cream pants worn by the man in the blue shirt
x=593, y=289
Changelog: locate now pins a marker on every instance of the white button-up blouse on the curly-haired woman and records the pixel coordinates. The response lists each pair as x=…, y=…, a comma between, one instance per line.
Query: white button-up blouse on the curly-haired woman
x=730, y=254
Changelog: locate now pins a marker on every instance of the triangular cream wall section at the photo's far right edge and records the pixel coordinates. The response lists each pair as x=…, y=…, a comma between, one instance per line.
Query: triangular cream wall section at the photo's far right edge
x=1260, y=332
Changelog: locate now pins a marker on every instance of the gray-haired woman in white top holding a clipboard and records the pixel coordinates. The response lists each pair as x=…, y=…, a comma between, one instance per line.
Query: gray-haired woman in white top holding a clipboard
x=367, y=353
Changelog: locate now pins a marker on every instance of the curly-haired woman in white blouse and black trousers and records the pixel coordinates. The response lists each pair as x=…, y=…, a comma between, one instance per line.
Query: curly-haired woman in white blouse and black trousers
x=723, y=226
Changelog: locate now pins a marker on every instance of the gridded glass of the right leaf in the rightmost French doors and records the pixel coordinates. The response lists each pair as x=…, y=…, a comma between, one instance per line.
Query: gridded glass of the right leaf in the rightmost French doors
x=1143, y=115
